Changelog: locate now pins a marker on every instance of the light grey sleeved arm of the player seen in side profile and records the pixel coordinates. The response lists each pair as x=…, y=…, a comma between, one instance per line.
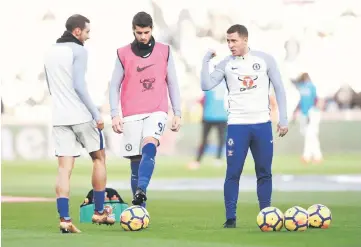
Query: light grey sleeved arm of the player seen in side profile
x=79, y=84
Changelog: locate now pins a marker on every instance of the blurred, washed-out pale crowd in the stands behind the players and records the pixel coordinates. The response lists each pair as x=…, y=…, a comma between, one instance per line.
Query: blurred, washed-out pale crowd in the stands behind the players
x=297, y=44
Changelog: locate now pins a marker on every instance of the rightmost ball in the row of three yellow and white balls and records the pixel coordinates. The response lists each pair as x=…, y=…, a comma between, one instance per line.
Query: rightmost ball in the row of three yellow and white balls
x=319, y=216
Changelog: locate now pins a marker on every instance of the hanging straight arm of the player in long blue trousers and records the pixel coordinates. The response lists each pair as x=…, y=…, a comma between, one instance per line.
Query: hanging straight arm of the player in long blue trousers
x=275, y=77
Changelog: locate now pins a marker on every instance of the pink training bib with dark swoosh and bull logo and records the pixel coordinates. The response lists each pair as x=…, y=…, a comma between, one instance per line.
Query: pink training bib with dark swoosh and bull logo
x=144, y=87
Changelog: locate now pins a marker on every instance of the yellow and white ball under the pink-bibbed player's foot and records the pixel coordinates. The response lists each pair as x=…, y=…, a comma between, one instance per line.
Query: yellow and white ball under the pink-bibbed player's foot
x=134, y=218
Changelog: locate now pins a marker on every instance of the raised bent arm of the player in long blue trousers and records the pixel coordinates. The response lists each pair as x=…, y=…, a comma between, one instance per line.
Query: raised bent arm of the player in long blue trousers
x=209, y=81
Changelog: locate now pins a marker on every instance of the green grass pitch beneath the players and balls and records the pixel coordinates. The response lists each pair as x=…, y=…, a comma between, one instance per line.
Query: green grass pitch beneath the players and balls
x=180, y=218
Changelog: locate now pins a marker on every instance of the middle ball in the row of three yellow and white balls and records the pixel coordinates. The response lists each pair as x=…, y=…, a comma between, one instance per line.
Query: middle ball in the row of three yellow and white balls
x=296, y=219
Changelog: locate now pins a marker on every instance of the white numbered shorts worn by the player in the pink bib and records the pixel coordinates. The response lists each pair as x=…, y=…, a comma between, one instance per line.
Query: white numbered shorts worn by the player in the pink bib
x=134, y=131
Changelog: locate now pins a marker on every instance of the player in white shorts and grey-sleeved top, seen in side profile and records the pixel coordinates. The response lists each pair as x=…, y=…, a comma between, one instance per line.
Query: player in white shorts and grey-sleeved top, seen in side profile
x=77, y=122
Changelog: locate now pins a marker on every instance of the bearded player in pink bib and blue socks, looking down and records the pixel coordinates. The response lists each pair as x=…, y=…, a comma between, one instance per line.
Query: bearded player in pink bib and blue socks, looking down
x=143, y=77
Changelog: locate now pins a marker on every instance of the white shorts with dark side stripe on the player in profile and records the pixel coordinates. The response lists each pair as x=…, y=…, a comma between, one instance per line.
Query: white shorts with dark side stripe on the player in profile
x=70, y=139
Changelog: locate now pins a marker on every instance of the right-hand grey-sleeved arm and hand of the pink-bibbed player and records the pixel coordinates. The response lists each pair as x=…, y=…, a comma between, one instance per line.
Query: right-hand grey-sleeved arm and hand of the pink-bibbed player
x=174, y=92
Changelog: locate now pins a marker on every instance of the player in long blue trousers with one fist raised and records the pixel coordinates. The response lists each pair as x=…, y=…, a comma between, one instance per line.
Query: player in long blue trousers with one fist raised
x=248, y=75
